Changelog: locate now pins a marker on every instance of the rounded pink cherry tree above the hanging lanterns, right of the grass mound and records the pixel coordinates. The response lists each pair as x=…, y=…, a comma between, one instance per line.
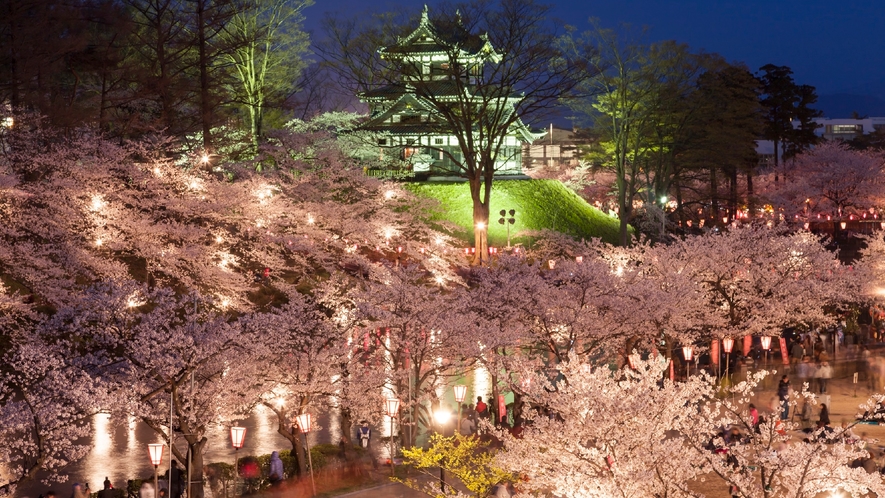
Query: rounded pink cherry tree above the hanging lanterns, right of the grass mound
x=759, y=280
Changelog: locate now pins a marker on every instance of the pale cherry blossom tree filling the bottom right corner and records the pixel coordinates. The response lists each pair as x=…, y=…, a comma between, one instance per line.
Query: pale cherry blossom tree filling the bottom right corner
x=770, y=459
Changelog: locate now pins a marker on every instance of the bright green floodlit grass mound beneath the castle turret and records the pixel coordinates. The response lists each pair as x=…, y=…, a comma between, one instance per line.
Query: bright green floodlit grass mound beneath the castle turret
x=539, y=204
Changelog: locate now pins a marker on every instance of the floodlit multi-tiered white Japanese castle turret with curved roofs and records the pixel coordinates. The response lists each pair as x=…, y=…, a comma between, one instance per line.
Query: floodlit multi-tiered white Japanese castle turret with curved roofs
x=405, y=113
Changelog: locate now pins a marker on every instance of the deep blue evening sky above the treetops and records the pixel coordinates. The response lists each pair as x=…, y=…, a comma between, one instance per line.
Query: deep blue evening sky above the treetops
x=837, y=46
